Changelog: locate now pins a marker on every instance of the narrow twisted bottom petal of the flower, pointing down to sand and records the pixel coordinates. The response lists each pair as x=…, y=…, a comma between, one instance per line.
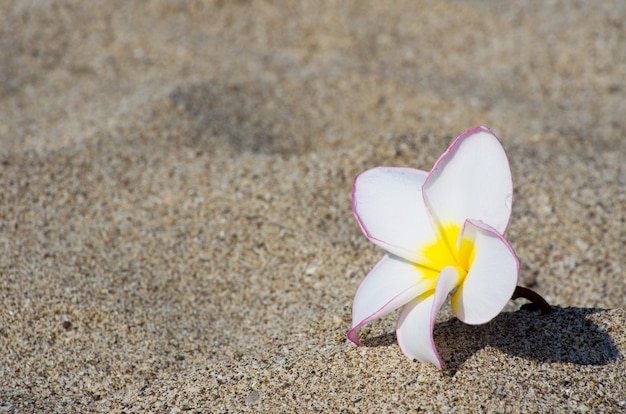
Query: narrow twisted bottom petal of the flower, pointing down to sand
x=417, y=319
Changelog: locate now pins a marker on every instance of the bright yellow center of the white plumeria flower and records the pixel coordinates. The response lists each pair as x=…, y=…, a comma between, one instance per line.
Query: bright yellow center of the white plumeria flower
x=443, y=253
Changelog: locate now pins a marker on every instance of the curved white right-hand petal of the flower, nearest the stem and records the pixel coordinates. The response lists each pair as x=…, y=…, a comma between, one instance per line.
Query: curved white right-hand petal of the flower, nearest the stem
x=492, y=277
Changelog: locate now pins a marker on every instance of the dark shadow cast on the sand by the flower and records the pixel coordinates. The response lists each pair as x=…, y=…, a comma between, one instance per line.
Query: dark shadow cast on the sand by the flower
x=565, y=335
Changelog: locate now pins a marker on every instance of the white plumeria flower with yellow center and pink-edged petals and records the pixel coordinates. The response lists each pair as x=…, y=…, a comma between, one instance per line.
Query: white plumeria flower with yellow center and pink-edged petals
x=443, y=233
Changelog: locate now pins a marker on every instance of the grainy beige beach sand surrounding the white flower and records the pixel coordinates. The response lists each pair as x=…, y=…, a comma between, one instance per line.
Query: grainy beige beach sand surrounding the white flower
x=175, y=223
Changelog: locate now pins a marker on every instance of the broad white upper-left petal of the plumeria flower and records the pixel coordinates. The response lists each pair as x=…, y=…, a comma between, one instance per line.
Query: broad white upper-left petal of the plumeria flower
x=388, y=204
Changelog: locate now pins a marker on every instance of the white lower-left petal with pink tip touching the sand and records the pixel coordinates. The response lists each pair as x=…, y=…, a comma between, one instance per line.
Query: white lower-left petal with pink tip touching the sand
x=390, y=284
